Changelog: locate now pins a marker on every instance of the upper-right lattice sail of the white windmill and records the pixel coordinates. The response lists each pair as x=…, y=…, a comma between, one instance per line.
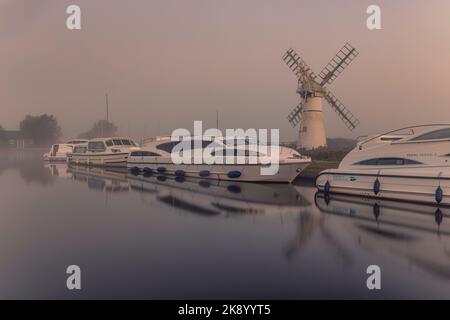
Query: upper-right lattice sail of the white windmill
x=337, y=64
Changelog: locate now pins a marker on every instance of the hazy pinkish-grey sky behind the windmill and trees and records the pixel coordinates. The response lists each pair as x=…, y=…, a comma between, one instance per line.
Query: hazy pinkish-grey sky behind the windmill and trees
x=166, y=63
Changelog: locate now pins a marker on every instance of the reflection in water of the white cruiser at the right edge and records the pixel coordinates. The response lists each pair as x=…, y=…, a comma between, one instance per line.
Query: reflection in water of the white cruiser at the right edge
x=415, y=232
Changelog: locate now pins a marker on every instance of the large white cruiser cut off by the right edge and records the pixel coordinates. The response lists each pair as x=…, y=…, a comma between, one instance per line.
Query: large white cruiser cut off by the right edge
x=410, y=164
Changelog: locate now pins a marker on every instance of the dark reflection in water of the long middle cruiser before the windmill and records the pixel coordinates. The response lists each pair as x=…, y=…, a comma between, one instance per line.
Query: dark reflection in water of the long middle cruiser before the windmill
x=213, y=197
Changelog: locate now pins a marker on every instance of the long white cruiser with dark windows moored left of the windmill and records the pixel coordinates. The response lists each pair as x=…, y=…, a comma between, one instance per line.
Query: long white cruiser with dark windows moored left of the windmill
x=155, y=156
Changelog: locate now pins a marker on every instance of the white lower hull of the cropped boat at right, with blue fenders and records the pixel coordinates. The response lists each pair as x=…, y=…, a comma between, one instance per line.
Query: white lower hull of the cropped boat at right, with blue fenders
x=420, y=187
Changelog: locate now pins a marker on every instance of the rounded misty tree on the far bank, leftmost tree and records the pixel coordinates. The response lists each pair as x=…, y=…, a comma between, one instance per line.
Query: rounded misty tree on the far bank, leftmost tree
x=43, y=129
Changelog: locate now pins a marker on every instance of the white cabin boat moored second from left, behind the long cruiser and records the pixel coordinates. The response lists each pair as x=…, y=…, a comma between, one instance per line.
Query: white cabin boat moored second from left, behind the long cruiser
x=110, y=152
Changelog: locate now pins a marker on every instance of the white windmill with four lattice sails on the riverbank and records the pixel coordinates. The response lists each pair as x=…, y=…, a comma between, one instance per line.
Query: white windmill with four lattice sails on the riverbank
x=312, y=90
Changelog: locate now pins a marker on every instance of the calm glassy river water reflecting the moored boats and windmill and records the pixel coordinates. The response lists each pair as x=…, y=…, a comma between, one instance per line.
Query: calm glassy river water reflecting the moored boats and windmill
x=156, y=237
